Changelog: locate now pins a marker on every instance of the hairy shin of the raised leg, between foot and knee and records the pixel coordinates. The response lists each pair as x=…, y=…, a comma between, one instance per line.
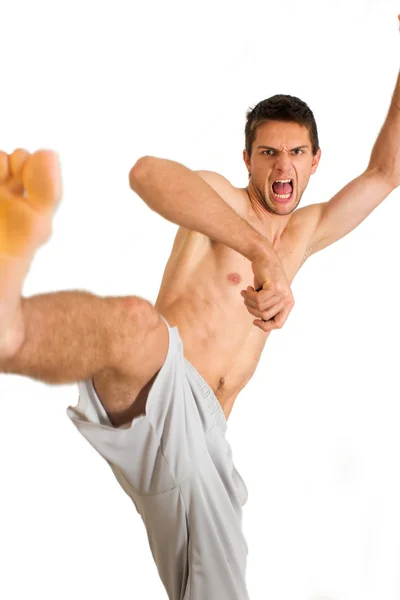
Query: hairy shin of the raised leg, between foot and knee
x=68, y=336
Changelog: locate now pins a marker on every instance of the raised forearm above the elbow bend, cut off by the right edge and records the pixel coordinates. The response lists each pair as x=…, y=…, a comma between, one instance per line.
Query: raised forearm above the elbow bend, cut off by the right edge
x=385, y=156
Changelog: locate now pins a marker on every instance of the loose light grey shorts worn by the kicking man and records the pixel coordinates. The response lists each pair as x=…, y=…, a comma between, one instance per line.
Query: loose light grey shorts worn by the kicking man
x=176, y=466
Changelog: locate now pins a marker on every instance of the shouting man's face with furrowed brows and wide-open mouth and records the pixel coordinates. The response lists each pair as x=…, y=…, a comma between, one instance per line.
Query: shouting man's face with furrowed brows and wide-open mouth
x=281, y=151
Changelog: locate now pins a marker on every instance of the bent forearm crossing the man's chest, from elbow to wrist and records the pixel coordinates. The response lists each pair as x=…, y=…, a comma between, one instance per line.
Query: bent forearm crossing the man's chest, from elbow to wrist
x=181, y=196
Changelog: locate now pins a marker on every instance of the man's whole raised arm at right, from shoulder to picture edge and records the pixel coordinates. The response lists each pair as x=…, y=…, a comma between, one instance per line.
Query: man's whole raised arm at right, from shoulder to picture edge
x=336, y=218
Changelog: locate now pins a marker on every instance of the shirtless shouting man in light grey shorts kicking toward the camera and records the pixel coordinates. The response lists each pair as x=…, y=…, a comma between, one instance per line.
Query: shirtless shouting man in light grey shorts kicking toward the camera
x=157, y=383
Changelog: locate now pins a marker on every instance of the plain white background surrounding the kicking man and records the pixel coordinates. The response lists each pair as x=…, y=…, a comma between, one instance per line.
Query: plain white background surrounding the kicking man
x=315, y=433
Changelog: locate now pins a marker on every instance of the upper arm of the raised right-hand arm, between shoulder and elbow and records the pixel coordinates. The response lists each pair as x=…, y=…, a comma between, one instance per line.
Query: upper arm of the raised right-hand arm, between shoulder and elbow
x=347, y=209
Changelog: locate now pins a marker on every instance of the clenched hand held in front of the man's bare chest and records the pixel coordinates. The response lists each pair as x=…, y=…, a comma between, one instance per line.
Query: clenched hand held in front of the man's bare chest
x=271, y=299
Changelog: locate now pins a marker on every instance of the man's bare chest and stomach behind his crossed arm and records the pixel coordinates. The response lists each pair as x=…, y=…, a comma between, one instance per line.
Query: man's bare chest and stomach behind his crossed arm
x=200, y=293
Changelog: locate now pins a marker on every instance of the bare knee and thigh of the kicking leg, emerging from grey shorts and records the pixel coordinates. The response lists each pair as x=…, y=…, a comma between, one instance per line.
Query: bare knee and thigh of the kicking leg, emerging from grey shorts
x=123, y=389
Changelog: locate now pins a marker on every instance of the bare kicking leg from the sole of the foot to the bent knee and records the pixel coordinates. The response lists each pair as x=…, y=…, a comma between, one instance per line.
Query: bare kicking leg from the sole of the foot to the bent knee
x=62, y=337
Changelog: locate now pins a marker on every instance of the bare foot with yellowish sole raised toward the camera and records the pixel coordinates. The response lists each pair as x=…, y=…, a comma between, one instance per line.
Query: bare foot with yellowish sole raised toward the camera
x=30, y=190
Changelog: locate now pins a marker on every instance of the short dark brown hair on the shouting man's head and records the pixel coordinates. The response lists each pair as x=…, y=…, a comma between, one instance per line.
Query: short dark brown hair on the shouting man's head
x=280, y=108
